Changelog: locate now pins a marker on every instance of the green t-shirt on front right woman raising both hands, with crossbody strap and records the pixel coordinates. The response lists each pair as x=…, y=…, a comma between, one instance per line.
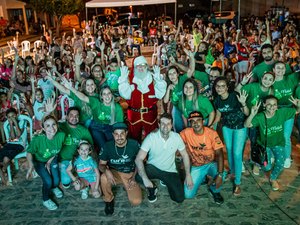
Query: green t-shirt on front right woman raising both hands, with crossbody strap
x=275, y=126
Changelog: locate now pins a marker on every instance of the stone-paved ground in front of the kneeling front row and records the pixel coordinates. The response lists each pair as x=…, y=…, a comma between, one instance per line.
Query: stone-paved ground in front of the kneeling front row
x=22, y=204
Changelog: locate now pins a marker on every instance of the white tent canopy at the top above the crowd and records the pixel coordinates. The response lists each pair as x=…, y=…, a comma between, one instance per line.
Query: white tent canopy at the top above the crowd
x=120, y=3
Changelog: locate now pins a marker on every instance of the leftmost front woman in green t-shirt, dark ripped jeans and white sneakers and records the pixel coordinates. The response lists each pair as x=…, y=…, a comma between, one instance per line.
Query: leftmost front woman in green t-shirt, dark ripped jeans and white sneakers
x=42, y=156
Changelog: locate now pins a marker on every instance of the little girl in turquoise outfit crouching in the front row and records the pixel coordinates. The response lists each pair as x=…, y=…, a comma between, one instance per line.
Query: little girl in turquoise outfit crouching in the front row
x=87, y=170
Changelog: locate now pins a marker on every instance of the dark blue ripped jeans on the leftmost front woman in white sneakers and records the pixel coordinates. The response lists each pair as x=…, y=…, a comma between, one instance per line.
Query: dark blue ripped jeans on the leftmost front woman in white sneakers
x=50, y=180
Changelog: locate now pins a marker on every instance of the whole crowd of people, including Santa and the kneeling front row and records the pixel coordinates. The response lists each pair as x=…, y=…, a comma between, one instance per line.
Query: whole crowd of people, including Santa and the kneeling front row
x=96, y=119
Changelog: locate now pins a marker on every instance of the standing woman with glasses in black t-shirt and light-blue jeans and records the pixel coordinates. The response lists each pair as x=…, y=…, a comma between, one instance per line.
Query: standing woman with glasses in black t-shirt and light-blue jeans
x=232, y=110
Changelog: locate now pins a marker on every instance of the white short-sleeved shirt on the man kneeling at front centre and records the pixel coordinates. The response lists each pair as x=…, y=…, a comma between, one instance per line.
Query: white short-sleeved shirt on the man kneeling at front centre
x=161, y=152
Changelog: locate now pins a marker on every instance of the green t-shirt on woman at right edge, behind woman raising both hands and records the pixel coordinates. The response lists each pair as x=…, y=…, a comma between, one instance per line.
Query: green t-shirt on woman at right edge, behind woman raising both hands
x=285, y=88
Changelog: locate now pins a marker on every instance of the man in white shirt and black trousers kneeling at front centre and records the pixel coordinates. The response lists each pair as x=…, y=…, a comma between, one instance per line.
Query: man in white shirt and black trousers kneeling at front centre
x=162, y=145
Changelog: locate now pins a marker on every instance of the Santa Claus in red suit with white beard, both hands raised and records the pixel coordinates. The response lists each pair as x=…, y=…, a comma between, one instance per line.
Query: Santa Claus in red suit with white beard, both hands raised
x=142, y=88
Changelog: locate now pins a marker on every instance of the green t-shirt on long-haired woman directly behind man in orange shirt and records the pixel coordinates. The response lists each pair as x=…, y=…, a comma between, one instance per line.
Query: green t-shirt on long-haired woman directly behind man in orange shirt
x=204, y=106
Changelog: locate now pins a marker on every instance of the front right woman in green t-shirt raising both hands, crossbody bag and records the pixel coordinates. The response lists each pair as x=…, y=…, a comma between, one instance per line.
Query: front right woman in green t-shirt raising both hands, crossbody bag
x=271, y=126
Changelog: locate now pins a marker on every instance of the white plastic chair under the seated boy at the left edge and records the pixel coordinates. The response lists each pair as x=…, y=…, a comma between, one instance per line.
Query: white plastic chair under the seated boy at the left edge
x=28, y=123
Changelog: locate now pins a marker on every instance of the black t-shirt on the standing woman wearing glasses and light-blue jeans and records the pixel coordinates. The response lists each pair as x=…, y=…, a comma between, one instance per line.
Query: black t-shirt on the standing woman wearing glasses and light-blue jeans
x=230, y=108
